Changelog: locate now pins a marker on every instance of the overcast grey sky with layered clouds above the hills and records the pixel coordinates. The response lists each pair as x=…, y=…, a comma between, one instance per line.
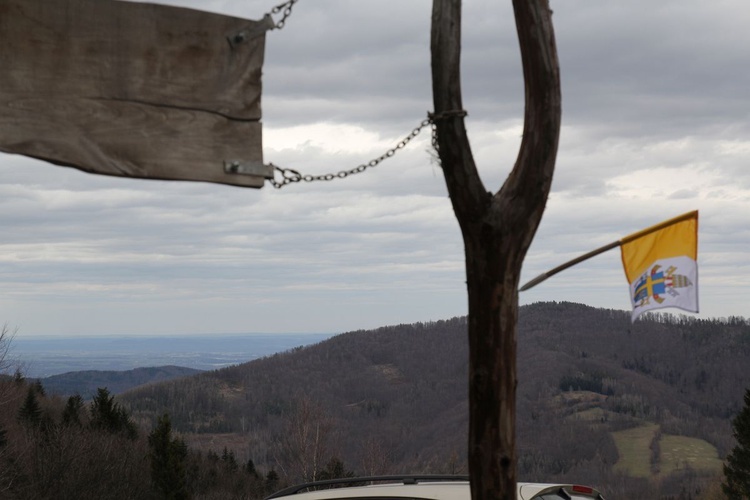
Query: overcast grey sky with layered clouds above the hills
x=656, y=122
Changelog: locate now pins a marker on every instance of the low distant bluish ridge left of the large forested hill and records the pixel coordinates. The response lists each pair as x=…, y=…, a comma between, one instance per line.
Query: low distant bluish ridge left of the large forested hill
x=85, y=383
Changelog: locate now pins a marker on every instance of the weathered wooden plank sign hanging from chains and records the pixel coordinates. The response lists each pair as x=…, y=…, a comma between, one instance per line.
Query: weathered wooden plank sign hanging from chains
x=133, y=89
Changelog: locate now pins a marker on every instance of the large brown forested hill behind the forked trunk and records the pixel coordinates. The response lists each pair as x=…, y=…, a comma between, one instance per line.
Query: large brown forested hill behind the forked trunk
x=395, y=399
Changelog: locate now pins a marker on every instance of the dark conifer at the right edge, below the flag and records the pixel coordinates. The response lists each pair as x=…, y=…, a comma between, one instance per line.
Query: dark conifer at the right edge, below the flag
x=737, y=466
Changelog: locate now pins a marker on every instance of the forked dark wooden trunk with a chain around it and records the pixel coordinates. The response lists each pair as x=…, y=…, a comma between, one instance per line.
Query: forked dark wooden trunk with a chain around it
x=497, y=228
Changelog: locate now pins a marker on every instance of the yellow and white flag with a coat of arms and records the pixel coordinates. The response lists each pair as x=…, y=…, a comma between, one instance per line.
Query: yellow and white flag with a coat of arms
x=661, y=265
